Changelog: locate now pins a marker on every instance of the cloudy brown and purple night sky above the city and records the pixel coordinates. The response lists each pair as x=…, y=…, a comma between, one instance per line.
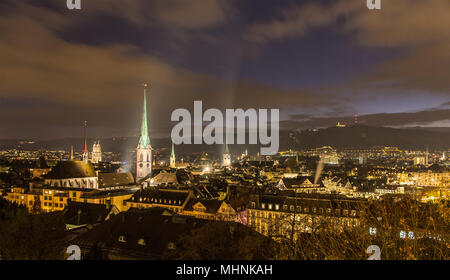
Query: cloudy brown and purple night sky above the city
x=318, y=61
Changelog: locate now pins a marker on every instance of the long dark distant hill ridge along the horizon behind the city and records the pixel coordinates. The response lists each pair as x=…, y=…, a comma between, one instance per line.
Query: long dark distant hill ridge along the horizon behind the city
x=355, y=136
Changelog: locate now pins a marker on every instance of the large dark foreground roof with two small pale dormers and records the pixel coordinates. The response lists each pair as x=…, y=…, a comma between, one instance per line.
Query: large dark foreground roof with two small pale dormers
x=140, y=234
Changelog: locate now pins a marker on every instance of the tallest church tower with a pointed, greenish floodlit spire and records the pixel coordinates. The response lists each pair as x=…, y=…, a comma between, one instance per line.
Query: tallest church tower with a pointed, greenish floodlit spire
x=144, y=149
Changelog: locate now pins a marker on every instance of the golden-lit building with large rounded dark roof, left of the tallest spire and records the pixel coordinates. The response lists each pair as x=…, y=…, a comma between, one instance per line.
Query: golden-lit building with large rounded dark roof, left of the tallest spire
x=74, y=181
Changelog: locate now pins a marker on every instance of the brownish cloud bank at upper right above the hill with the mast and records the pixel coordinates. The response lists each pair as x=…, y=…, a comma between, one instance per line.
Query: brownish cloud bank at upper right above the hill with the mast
x=417, y=28
